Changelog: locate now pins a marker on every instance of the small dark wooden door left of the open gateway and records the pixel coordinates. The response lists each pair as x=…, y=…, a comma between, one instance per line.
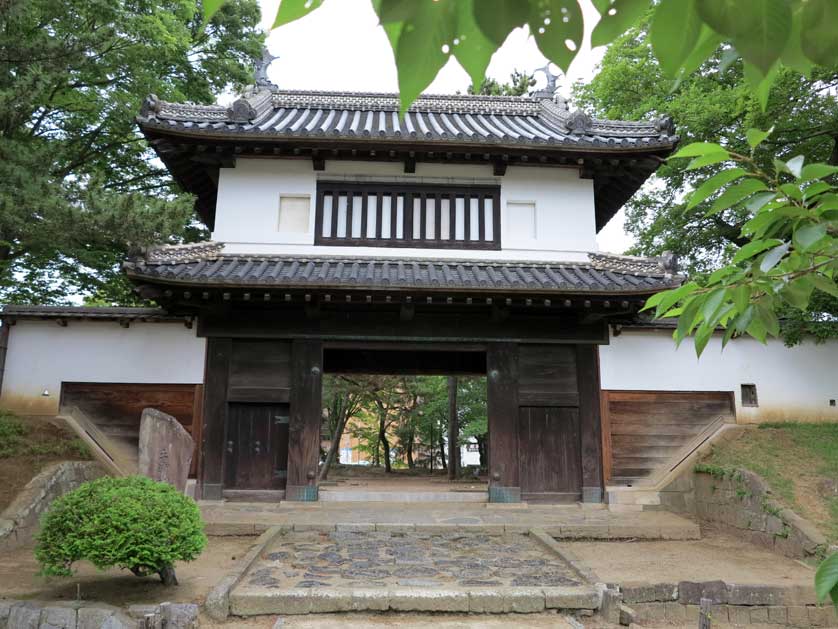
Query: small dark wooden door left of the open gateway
x=257, y=446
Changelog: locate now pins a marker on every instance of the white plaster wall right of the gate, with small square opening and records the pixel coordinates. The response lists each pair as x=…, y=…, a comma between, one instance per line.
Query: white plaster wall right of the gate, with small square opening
x=793, y=383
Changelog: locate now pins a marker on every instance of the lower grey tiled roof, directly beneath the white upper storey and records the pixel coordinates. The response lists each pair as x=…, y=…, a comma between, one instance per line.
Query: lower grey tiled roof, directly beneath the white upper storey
x=211, y=267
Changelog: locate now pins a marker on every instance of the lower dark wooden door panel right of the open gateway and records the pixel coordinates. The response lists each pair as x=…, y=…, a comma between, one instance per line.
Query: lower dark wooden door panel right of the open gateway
x=549, y=452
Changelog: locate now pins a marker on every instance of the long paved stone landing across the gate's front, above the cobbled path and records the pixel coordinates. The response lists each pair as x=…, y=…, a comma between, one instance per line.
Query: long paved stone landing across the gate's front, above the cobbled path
x=563, y=521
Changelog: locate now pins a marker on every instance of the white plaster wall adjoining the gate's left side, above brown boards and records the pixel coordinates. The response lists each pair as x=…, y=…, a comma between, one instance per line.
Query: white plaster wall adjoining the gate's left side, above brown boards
x=41, y=355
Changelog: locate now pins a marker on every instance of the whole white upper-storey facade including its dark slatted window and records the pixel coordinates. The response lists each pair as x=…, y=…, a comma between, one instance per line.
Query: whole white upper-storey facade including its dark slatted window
x=540, y=213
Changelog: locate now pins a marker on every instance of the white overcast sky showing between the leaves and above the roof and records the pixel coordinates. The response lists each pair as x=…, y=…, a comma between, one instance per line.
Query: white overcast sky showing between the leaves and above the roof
x=340, y=47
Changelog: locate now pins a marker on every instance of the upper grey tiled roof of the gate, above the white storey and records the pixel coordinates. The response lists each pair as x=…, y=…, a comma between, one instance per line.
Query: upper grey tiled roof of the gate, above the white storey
x=469, y=119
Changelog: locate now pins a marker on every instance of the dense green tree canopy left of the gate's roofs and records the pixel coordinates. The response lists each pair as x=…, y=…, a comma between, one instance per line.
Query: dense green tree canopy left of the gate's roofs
x=79, y=186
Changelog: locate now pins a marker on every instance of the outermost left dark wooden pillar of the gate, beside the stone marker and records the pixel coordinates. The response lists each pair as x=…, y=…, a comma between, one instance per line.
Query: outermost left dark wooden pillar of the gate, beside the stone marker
x=216, y=375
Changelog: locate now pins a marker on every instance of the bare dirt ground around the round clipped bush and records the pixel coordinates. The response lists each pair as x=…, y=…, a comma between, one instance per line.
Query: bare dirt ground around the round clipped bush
x=19, y=578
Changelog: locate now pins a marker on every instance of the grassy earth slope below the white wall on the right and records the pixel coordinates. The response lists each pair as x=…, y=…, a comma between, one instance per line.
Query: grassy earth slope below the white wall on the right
x=800, y=463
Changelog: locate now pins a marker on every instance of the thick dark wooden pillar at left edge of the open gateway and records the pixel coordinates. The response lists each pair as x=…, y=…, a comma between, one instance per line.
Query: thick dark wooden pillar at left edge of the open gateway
x=304, y=427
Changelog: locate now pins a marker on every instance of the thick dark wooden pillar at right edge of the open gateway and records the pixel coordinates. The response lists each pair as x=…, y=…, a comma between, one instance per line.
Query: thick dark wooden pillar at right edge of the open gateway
x=502, y=399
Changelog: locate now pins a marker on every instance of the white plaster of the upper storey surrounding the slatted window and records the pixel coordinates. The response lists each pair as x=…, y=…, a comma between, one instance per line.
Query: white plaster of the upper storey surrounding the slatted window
x=247, y=209
